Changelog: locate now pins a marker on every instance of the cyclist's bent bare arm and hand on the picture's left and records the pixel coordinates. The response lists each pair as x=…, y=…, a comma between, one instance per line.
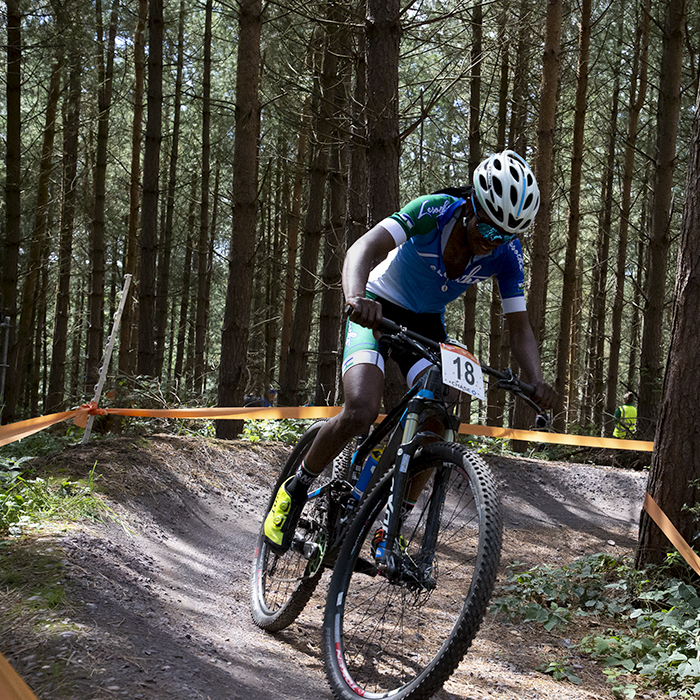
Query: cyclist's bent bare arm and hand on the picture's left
x=367, y=252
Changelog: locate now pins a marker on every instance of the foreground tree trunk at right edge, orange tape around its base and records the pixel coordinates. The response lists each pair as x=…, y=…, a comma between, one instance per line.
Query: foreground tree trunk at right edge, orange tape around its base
x=674, y=477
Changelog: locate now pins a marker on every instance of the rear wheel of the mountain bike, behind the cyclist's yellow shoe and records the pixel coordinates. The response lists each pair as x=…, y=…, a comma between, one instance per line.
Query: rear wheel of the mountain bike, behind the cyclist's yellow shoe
x=281, y=585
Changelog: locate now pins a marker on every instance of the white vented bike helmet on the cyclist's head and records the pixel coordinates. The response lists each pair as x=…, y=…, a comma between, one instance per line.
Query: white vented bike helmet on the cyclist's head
x=507, y=191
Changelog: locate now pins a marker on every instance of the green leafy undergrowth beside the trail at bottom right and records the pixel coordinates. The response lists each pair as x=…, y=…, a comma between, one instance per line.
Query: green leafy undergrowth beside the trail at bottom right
x=649, y=620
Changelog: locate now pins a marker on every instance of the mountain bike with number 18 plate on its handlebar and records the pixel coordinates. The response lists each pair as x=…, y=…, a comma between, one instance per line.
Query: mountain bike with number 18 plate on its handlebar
x=399, y=617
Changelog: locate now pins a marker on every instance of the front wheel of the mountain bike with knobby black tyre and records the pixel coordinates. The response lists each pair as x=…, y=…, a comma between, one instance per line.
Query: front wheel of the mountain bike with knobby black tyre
x=402, y=636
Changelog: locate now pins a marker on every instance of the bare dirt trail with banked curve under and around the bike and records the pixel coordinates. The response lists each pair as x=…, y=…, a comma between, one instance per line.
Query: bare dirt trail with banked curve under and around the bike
x=153, y=602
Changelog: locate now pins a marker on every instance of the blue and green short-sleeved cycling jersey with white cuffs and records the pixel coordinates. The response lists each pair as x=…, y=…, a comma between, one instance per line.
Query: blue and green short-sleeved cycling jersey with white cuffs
x=414, y=276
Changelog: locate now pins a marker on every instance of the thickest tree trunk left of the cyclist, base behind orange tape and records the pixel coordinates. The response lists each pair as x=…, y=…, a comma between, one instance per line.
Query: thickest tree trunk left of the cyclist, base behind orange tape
x=234, y=336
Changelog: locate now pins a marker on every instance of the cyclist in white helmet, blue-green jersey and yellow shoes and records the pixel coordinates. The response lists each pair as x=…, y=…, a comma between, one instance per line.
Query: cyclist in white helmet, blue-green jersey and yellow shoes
x=408, y=267
